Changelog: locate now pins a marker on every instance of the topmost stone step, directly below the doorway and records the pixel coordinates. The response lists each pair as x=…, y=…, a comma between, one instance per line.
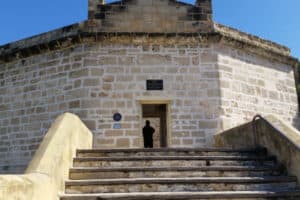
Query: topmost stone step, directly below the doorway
x=170, y=152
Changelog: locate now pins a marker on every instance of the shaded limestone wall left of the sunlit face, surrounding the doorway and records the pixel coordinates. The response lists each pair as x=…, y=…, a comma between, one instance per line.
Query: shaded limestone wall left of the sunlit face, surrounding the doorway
x=96, y=80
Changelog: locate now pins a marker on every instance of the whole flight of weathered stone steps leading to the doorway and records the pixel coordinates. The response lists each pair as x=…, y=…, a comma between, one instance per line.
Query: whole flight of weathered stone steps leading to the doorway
x=173, y=174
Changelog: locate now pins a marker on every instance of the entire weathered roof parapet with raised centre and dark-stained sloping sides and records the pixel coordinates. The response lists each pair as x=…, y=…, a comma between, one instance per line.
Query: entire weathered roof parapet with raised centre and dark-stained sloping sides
x=186, y=21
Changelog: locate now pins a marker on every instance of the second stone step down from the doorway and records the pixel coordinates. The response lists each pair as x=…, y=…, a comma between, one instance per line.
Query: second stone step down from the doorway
x=175, y=161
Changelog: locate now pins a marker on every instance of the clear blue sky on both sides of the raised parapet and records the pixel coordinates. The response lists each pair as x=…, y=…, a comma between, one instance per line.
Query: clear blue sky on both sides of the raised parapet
x=275, y=20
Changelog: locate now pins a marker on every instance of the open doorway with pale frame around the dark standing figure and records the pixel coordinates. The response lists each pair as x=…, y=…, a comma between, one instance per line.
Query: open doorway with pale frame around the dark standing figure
x=157, y=115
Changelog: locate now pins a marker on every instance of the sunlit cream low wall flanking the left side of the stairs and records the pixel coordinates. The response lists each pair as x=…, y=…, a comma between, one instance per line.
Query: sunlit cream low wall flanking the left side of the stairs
x=45, y=175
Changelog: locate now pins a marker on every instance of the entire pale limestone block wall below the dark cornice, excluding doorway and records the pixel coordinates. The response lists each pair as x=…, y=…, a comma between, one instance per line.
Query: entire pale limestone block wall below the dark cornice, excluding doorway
x=209, y=87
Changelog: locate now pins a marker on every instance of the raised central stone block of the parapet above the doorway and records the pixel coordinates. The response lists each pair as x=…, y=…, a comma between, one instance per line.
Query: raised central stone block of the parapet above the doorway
x=165, y=16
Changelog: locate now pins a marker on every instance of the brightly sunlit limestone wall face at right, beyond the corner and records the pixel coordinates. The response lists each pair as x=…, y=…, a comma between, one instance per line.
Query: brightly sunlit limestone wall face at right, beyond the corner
x=250, y=84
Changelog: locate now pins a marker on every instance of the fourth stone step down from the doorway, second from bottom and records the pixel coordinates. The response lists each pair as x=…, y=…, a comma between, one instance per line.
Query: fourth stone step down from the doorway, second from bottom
x=190, y=184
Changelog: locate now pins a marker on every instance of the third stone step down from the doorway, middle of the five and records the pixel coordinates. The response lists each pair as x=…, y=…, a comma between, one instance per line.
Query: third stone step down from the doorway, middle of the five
x=142, y=172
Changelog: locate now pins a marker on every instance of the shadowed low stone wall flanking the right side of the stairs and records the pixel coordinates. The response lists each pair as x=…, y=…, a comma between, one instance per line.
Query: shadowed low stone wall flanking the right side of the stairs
x=281, y=140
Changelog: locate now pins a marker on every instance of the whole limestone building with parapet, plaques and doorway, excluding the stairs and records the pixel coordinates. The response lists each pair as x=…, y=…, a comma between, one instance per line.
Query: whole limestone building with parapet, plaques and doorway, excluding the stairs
x=162, y=60
